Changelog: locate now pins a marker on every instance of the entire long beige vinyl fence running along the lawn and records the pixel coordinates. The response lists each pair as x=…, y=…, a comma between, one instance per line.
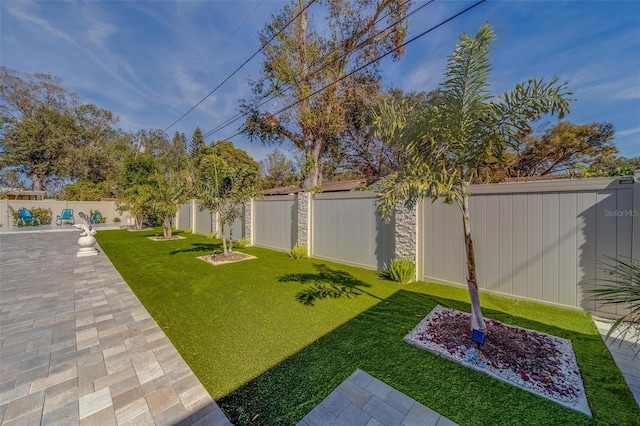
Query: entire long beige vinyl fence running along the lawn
x=541, y=241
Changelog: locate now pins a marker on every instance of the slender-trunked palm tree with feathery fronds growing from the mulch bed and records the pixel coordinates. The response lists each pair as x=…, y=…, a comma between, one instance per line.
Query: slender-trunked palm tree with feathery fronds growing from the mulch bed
x=449, y=143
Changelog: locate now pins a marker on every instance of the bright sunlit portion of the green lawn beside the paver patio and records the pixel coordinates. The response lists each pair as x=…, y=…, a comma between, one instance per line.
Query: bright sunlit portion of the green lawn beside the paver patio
x=232, y=322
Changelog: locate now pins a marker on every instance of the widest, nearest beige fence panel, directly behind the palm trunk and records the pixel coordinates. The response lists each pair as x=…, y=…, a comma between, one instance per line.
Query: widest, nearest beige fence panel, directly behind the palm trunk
x=541, y=241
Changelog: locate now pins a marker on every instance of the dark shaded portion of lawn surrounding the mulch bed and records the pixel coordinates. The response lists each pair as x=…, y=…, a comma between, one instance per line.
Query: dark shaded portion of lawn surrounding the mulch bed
x=373, y=342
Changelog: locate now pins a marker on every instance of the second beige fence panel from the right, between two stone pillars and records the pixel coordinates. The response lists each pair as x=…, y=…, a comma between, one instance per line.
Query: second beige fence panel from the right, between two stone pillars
x=347, y=229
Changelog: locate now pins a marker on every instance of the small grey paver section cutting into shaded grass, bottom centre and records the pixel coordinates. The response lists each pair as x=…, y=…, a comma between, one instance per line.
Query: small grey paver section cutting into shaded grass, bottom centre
x=364, y=400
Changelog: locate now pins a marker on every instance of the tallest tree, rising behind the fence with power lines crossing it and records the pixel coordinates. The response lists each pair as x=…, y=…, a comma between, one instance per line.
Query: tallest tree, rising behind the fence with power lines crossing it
x=304, y=58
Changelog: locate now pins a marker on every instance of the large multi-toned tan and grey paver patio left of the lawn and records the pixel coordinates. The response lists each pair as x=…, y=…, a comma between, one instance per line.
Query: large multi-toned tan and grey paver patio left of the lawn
x=77, y=347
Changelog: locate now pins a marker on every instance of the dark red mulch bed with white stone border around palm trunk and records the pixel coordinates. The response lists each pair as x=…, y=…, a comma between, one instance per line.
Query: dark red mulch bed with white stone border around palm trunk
x=537, y=362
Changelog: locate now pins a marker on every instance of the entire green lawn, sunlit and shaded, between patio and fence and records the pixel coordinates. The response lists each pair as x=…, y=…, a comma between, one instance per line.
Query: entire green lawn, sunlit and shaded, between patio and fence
x=273, y=336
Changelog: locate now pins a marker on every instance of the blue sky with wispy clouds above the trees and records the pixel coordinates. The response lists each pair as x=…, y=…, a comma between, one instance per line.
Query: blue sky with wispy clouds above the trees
x=150, y=61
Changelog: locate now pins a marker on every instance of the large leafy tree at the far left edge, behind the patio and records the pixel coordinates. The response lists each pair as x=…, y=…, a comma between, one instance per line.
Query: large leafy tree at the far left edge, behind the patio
x=46, y=133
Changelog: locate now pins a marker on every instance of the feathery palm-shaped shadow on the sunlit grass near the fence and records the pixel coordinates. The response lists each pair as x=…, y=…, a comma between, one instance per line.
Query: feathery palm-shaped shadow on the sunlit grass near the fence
x=327, y=283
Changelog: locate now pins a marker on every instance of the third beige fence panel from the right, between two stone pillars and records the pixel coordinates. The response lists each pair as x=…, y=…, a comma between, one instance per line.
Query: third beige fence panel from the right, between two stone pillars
x=276, y=222
